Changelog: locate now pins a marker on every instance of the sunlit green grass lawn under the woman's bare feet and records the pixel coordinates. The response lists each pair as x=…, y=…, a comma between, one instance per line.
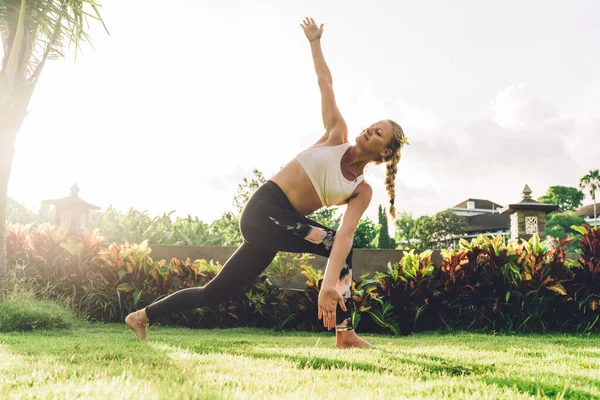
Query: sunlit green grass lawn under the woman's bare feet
x=107, y=362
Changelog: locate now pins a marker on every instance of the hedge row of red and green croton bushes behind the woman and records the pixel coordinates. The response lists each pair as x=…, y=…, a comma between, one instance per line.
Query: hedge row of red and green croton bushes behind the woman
x=487, y=284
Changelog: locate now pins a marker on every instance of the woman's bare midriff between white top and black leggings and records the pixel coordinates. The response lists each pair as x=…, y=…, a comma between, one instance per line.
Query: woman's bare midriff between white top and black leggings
x=298, y=188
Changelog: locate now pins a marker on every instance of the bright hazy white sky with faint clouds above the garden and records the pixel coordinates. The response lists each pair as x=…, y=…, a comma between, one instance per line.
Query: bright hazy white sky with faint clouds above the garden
x=181, y=102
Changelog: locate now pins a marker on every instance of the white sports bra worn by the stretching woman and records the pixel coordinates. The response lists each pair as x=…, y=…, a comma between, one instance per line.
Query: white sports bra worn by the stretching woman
x=323, y=167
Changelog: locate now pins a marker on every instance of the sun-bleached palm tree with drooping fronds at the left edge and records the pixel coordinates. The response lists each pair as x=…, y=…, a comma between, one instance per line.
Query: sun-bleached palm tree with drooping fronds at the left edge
x=32, y=32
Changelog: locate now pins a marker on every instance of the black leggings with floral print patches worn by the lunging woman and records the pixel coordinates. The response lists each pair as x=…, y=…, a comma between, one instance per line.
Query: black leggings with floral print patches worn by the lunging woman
x=269, y=224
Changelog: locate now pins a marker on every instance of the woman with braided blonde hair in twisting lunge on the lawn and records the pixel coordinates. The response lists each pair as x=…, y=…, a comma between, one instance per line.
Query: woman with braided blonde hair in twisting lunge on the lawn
x=330, y=172
